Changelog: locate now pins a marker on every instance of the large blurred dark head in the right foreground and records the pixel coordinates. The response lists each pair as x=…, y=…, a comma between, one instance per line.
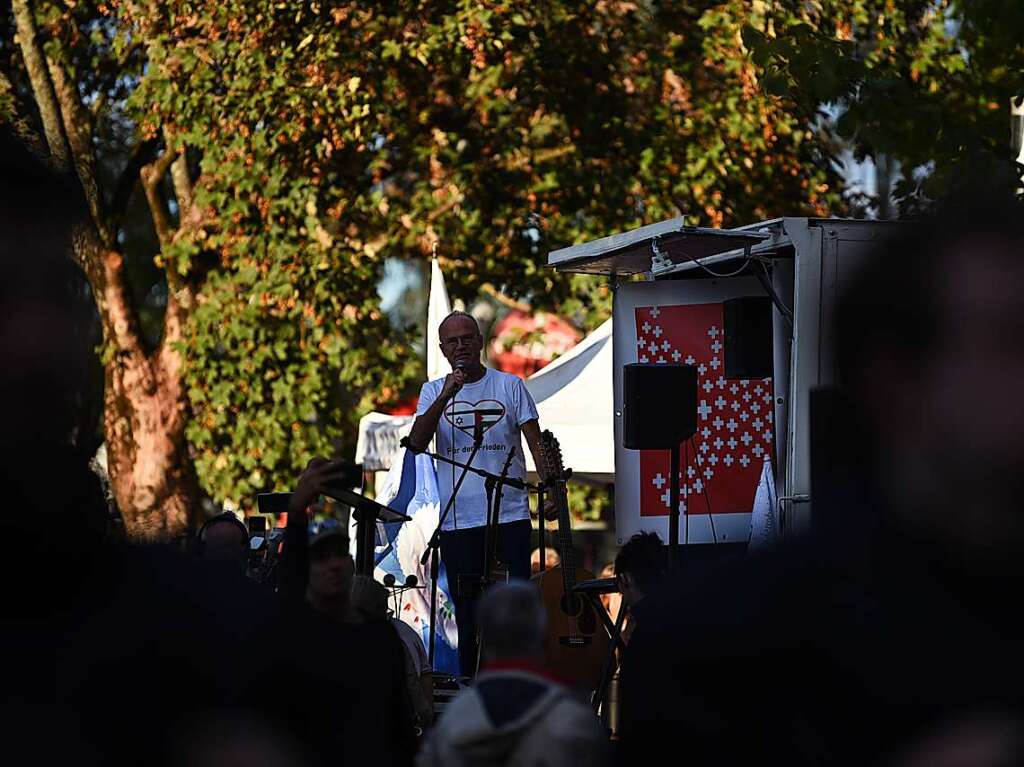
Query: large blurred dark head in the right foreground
x=931, y=345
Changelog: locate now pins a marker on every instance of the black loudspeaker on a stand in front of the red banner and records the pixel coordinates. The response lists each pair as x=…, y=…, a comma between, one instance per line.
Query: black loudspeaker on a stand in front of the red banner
x=660, y=404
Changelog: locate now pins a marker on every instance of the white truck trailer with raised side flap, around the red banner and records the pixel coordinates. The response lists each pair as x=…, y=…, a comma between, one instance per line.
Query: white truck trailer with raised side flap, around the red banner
x=800, y=265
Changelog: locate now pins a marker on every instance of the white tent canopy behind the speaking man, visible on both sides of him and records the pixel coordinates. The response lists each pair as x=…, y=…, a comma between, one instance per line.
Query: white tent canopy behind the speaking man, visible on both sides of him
x=574, y=399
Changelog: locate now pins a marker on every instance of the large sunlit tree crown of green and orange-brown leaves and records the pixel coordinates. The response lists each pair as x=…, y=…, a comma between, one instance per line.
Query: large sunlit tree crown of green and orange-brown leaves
x=324, y=139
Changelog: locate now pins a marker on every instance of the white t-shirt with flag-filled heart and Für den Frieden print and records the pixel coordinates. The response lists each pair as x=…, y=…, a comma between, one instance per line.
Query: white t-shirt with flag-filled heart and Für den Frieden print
x=501, y=404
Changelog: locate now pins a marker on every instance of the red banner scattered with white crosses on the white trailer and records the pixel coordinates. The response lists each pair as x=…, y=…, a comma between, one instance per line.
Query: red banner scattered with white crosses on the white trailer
x=722, y=463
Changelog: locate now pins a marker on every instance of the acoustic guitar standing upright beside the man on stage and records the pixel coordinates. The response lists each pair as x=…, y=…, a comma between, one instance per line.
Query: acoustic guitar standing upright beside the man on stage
x=577, y=645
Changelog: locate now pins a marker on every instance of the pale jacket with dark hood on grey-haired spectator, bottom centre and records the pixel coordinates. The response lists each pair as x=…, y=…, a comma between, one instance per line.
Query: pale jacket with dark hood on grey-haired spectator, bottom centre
x=519, y=718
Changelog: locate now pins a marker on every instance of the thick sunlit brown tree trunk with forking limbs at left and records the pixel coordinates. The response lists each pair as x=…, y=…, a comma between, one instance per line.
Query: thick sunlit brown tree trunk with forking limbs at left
x=146, y=407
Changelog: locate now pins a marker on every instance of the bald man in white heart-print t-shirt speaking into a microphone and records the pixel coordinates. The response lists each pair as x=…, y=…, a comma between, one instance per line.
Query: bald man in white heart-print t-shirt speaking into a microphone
x=475, y=402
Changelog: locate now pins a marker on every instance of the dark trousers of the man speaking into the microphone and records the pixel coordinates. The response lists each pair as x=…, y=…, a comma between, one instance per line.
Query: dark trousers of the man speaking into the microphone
x=462, y=552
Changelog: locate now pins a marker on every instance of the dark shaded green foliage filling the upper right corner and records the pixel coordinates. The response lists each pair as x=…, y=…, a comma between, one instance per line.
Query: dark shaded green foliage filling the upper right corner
x=926, y=83
